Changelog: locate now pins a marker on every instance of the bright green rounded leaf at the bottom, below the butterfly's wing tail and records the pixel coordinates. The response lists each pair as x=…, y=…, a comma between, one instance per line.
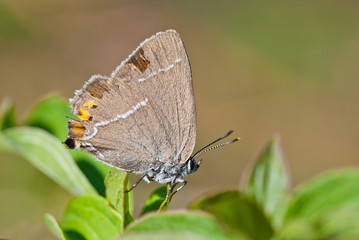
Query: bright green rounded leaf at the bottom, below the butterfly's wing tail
x=91, y=218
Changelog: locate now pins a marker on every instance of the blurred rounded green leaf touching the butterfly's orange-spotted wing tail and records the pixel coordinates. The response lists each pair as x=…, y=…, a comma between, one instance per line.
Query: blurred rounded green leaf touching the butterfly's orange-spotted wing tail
x=50, y=115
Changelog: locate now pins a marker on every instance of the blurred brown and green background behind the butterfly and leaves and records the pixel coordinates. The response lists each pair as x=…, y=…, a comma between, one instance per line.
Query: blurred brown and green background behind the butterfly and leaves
x=259, y=67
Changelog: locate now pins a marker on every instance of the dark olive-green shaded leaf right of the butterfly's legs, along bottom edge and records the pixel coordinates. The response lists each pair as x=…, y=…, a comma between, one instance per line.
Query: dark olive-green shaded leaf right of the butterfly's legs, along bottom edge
x=238, y=213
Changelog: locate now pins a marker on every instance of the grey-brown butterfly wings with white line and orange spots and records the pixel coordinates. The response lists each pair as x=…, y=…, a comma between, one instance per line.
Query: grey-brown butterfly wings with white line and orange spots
x=144, y=113
